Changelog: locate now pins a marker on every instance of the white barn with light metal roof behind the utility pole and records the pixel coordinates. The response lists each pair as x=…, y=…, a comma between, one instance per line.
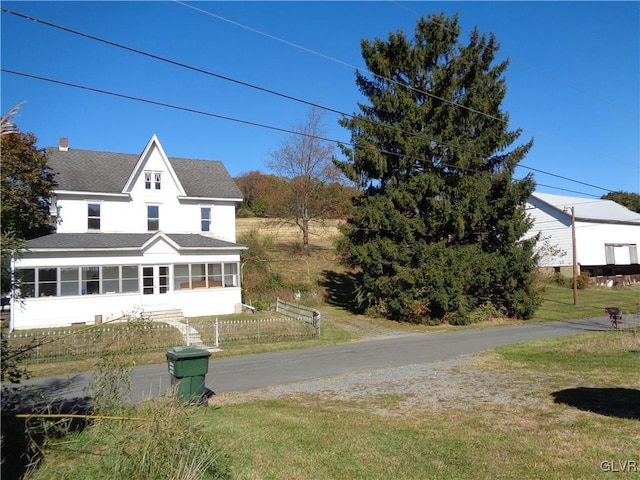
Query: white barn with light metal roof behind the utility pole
x=606, y=234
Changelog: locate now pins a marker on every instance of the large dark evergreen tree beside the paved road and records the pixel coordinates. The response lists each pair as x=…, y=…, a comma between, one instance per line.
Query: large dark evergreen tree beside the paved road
x=437, y=234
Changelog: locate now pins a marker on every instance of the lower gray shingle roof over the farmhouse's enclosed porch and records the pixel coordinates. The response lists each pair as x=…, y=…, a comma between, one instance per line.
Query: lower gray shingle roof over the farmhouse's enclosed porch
x=107, y=241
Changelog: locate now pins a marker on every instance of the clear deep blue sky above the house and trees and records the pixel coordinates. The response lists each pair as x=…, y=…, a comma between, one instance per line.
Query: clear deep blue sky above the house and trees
x=573, y=80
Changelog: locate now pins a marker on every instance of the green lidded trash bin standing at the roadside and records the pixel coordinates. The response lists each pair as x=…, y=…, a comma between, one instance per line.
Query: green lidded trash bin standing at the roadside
x=188, y=367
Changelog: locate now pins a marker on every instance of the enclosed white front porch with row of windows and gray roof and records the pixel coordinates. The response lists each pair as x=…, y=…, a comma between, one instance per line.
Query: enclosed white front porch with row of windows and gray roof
x=63, y=280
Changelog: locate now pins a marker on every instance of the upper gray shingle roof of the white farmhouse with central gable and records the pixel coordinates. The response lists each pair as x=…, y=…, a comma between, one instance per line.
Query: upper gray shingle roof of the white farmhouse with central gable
x=106, y=172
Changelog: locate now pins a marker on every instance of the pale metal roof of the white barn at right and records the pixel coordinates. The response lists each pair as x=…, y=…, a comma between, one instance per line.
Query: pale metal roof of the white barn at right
x=590, y=209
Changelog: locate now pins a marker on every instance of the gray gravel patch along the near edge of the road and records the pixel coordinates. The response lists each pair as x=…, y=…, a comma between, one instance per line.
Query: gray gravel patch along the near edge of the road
x=411, y=386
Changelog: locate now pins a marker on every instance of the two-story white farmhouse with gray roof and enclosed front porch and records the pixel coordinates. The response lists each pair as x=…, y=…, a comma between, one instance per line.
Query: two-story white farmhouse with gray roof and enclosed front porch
x=133, y=232
